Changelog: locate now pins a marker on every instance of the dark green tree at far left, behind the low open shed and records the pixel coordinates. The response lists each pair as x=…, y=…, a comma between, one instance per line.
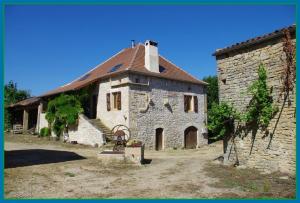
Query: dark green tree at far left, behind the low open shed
x=11, y=96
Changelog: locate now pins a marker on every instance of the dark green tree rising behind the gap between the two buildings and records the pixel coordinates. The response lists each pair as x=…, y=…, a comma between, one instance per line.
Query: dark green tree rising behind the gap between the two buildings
x=212, y=90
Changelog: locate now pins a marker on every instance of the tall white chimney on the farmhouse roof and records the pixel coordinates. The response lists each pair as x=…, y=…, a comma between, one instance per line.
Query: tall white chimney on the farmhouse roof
x=151, y=56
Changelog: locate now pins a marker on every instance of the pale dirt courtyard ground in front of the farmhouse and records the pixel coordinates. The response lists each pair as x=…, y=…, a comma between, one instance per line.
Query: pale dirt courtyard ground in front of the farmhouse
x=41, y=168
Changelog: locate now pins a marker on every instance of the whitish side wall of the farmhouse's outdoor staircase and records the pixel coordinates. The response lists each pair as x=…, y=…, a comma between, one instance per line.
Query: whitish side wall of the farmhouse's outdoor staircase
x=85, y=133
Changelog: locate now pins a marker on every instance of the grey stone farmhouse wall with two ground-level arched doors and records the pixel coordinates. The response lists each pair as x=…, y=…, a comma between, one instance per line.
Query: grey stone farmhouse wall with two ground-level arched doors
x=146, y=116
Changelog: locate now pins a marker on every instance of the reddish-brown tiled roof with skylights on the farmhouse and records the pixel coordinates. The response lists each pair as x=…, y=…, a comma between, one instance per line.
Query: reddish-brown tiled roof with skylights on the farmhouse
x=127, y=60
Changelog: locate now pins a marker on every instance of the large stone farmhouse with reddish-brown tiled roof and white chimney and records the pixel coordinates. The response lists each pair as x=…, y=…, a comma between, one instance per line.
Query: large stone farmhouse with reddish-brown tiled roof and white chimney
x=162, y=105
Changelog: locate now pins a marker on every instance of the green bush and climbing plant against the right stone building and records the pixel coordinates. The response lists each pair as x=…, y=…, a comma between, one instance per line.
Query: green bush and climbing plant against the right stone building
x=259, y=111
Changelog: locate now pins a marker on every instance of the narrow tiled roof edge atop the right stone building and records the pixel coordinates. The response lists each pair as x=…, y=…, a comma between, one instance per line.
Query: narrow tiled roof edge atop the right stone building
x=254, y=41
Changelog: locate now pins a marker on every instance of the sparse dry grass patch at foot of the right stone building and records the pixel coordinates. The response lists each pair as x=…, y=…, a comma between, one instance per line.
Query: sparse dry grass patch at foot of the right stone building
x=252, y=181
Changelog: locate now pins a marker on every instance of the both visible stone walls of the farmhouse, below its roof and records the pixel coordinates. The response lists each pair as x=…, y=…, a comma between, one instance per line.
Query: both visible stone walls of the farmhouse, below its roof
x=153, y=103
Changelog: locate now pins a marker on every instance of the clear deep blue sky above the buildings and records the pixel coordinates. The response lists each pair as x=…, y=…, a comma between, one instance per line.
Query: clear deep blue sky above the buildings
x=48, y=46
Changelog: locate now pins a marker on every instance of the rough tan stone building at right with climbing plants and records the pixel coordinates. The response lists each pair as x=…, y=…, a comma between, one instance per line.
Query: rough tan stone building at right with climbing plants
x=237, y=67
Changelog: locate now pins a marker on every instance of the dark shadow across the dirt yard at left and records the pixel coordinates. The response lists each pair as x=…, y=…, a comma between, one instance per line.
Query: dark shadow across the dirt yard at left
x=29, y=157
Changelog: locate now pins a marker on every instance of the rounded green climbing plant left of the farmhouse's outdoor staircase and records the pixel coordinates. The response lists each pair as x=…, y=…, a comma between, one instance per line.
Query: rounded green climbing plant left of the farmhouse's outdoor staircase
x=63, y=111
